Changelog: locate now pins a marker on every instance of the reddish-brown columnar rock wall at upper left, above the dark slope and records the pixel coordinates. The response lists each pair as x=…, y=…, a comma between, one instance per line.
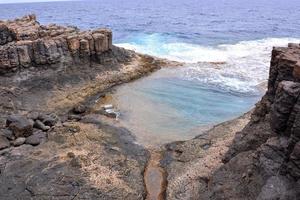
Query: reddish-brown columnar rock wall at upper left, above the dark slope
x=24, y=43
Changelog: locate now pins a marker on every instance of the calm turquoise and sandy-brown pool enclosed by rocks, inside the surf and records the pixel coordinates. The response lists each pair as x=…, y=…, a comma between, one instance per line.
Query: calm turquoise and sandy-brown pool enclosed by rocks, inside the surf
x=169, y=105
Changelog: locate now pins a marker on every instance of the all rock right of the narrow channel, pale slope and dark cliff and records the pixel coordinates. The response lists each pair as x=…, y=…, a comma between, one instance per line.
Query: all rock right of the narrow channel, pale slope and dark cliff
x=263, y=159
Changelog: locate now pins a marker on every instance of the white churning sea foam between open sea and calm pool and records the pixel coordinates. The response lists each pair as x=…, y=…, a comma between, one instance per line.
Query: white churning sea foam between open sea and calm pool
x=246, y=63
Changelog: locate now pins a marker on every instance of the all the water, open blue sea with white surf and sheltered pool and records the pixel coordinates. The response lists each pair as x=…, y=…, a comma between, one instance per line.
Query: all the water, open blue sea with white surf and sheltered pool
x=226, y=45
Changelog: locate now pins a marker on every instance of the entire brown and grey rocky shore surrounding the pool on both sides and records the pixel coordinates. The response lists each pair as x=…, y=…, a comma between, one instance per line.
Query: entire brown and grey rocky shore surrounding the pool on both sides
x=55, y=142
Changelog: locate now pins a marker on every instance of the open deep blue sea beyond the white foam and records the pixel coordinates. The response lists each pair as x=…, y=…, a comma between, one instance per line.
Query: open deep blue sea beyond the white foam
x=206, y=22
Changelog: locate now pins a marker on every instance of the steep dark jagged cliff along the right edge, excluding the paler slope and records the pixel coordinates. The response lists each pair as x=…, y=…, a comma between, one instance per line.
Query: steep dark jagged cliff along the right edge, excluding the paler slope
x=264, y=160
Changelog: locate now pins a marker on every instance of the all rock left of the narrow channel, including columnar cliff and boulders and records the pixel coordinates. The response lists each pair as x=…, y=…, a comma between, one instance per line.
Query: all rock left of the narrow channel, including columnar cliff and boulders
x=53, y=145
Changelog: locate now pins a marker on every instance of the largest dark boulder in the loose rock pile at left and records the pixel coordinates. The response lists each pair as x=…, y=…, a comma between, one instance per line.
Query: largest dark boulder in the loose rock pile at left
x=20, y=126
